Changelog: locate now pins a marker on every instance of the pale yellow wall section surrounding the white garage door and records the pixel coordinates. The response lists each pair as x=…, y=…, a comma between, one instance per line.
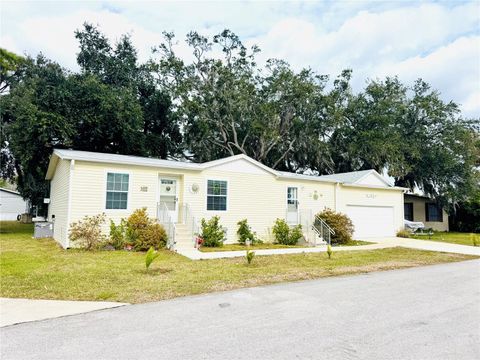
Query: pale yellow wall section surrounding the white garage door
x=364, y=196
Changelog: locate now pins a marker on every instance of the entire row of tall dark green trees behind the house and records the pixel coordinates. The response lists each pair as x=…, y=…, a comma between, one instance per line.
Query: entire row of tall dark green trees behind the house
x=224, y=103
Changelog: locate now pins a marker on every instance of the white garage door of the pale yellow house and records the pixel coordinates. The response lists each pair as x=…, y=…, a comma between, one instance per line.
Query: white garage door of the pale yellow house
x=371, y=221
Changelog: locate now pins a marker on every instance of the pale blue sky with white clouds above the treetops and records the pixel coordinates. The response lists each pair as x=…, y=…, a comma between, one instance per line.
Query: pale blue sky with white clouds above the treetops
x=438, y=41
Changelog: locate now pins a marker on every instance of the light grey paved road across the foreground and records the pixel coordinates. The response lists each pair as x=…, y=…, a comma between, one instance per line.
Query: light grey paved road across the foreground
x=422, y=313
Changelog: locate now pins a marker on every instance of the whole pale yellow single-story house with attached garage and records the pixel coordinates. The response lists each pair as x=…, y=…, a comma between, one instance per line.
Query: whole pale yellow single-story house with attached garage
x=235, y=188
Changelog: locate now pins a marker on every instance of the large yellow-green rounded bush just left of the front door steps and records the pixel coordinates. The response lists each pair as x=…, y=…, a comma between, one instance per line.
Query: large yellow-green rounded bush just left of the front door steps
x=144, y=232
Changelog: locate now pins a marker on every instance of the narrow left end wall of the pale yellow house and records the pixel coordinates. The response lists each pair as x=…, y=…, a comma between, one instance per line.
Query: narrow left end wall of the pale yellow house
x=59, y=192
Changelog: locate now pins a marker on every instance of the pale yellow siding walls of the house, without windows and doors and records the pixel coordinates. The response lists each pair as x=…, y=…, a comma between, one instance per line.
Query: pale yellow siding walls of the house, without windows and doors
x=256, y=195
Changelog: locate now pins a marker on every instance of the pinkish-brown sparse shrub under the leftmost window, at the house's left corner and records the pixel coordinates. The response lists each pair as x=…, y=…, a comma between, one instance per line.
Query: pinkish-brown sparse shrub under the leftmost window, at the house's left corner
x=87, y=233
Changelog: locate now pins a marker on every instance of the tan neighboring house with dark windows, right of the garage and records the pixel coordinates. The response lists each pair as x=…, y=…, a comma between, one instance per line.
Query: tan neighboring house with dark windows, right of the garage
x=423, y=209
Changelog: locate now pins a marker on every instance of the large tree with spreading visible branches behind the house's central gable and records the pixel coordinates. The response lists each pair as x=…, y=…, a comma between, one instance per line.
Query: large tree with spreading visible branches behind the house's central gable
x=230, y=106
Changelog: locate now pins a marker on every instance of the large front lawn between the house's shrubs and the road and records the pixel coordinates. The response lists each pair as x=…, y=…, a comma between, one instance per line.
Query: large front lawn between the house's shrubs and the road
x=40, y=269
